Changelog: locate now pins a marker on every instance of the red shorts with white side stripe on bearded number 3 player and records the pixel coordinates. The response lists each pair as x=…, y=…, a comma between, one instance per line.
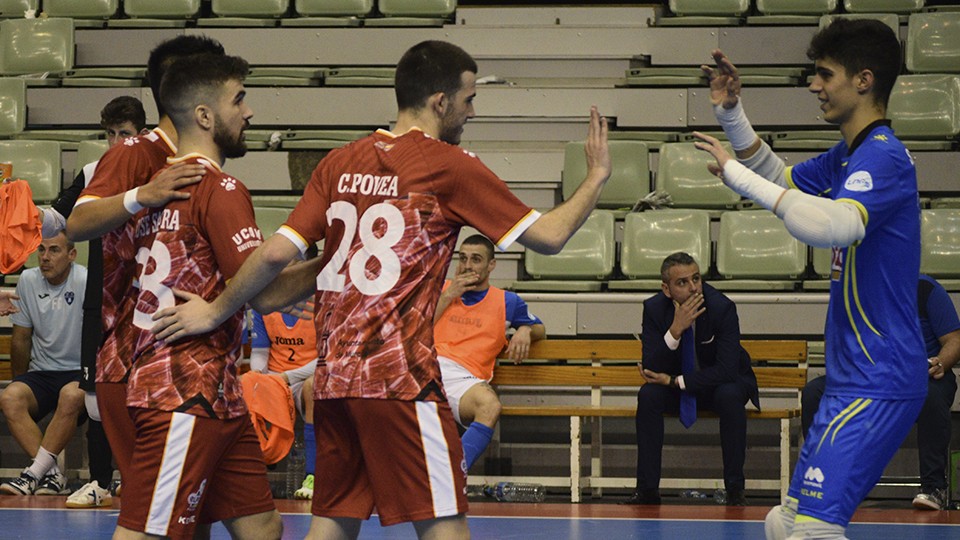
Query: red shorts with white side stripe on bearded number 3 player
x=188, y=469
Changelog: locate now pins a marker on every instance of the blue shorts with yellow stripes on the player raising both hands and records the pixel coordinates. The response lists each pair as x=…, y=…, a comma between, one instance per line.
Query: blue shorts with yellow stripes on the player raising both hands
x=849, y=445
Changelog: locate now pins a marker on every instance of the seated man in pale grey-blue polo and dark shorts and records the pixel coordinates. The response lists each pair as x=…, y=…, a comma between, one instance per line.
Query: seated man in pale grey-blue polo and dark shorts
x=45, y=360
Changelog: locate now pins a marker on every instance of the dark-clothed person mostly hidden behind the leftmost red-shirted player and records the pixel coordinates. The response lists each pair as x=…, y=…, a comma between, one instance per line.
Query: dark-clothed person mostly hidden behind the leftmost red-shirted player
x=121, y=118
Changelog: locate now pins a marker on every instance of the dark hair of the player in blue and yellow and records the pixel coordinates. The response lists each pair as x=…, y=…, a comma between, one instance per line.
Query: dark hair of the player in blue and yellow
x=859, y=44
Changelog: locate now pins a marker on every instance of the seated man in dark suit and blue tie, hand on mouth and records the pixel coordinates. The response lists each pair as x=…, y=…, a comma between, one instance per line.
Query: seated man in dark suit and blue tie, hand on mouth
x=715, y=376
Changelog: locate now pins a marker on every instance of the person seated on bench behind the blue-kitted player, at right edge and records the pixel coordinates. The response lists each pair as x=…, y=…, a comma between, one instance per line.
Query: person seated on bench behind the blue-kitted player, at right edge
x=941, y=333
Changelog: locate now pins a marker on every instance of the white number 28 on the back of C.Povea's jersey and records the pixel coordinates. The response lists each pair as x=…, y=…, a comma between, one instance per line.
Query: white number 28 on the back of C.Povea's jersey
x=332, y=278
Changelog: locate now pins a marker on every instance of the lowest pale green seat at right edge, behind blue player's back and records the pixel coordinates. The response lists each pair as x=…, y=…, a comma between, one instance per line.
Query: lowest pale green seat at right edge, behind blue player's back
x=940, y=242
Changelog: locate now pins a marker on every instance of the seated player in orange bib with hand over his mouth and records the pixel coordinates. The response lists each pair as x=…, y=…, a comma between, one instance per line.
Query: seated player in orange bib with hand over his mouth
x=469, y=332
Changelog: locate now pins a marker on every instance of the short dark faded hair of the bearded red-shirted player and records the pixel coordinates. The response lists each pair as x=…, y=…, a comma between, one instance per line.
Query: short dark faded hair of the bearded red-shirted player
x=195, y=80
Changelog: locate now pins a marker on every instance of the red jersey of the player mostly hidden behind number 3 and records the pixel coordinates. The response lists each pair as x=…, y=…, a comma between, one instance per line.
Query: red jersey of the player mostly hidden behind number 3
x=127, y=165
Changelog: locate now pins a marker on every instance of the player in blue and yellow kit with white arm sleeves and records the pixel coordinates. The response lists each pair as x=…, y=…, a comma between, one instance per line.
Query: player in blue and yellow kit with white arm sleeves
x=859, y=198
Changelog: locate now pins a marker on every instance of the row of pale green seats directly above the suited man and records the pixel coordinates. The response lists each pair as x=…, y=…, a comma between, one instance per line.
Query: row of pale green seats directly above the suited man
x=753, y=251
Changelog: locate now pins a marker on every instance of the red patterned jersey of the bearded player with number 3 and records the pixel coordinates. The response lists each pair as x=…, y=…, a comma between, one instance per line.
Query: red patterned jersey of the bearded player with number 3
x=194, y=245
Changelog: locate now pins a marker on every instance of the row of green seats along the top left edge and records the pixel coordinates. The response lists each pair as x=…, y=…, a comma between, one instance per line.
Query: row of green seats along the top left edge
x=138, y=13
